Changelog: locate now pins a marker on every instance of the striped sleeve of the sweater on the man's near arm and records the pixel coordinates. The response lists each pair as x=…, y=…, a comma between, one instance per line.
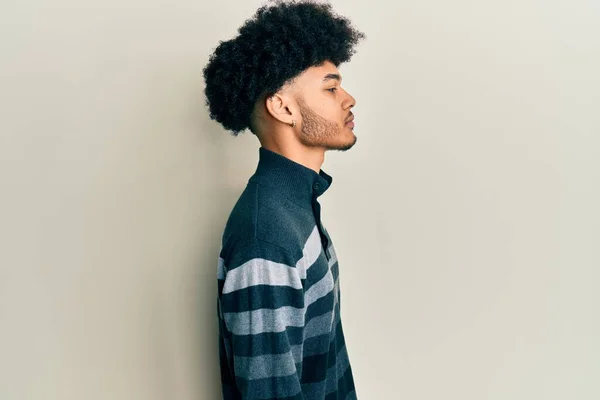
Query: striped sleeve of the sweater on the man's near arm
x=262, y=317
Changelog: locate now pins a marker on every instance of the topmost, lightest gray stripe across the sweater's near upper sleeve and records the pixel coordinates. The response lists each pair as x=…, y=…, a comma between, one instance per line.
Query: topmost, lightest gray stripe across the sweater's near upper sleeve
x=260, y=271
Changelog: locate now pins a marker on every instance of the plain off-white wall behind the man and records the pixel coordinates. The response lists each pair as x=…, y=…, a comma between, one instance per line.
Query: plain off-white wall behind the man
x=466, y=218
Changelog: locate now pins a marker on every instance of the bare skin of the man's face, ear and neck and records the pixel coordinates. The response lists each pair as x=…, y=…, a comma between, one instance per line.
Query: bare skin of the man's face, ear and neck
x=319, y=108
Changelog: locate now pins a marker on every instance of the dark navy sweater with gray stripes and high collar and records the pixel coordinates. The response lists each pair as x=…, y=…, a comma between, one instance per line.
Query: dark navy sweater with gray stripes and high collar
x=280, y=332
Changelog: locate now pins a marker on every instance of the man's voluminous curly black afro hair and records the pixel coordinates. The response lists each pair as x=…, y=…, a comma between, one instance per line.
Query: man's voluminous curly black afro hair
x=272, y=48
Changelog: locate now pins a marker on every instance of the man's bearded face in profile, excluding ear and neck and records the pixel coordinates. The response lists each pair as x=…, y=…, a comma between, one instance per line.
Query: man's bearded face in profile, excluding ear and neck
x=324, y=109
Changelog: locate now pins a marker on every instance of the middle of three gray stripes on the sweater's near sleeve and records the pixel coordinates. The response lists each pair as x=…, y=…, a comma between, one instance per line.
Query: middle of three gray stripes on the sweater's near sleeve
x=264, y=320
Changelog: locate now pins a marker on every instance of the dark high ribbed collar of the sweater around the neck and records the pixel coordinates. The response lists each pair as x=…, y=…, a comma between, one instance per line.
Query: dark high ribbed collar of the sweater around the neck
x=295, y=181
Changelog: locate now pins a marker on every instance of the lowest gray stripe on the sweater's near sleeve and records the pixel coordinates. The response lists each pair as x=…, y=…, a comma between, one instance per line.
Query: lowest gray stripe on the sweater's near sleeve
x=265, y=366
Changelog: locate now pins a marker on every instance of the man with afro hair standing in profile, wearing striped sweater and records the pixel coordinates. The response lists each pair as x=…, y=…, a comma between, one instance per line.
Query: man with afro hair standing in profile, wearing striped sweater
x=280, y=331
